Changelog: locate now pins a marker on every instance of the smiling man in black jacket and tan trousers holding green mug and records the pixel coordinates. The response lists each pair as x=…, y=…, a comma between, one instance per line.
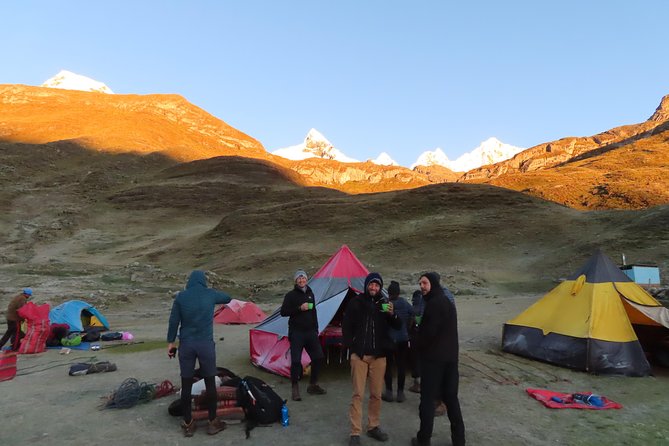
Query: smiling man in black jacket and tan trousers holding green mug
x=366, y=325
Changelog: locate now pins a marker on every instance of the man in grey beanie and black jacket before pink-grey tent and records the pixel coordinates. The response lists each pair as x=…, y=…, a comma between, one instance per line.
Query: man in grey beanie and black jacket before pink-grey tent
x=299, y=305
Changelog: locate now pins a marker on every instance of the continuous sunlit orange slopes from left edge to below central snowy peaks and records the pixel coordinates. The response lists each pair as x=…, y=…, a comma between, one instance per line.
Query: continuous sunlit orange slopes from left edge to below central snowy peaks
x=169, y=125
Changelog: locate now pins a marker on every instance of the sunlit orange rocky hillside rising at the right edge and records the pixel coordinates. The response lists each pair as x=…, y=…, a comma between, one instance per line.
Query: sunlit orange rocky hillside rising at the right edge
x=622, y=168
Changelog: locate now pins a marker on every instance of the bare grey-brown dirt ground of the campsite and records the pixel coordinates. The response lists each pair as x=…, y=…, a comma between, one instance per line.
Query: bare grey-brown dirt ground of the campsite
x=43, y=405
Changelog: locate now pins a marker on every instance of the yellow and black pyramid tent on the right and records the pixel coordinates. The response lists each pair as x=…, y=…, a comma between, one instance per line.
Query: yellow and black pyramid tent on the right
x=588, y=322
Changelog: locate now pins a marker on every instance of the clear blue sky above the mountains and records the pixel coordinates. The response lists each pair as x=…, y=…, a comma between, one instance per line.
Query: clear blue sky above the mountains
x=371, y=75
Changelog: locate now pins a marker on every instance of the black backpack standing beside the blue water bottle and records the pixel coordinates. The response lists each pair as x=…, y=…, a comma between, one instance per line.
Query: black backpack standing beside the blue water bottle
x=261, y=404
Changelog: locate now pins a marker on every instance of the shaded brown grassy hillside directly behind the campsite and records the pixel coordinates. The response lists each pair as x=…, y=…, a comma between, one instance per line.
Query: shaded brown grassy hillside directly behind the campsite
x=94, y=223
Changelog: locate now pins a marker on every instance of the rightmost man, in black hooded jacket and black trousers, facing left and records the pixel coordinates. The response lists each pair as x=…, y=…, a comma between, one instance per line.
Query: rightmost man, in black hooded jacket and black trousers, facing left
x=438, y=351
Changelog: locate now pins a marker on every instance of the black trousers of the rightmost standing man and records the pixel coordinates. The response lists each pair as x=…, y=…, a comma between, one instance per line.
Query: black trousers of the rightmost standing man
x=439, y=381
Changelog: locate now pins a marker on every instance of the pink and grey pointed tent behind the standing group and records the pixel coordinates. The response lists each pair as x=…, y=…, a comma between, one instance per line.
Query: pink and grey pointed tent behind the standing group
x=332, y=284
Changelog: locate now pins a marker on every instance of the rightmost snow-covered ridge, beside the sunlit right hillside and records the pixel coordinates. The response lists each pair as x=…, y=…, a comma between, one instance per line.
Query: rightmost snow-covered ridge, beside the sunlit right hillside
x=490, y=151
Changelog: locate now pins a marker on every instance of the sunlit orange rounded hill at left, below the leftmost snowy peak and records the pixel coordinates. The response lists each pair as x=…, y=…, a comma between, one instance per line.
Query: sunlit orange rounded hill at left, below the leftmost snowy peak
x=119, y=123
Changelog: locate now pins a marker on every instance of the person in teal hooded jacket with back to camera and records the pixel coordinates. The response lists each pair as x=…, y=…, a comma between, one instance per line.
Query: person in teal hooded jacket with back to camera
x=192, y=316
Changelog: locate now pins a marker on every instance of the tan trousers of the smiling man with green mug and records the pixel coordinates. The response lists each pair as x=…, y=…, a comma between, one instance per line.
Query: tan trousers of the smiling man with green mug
x=373, y=368
